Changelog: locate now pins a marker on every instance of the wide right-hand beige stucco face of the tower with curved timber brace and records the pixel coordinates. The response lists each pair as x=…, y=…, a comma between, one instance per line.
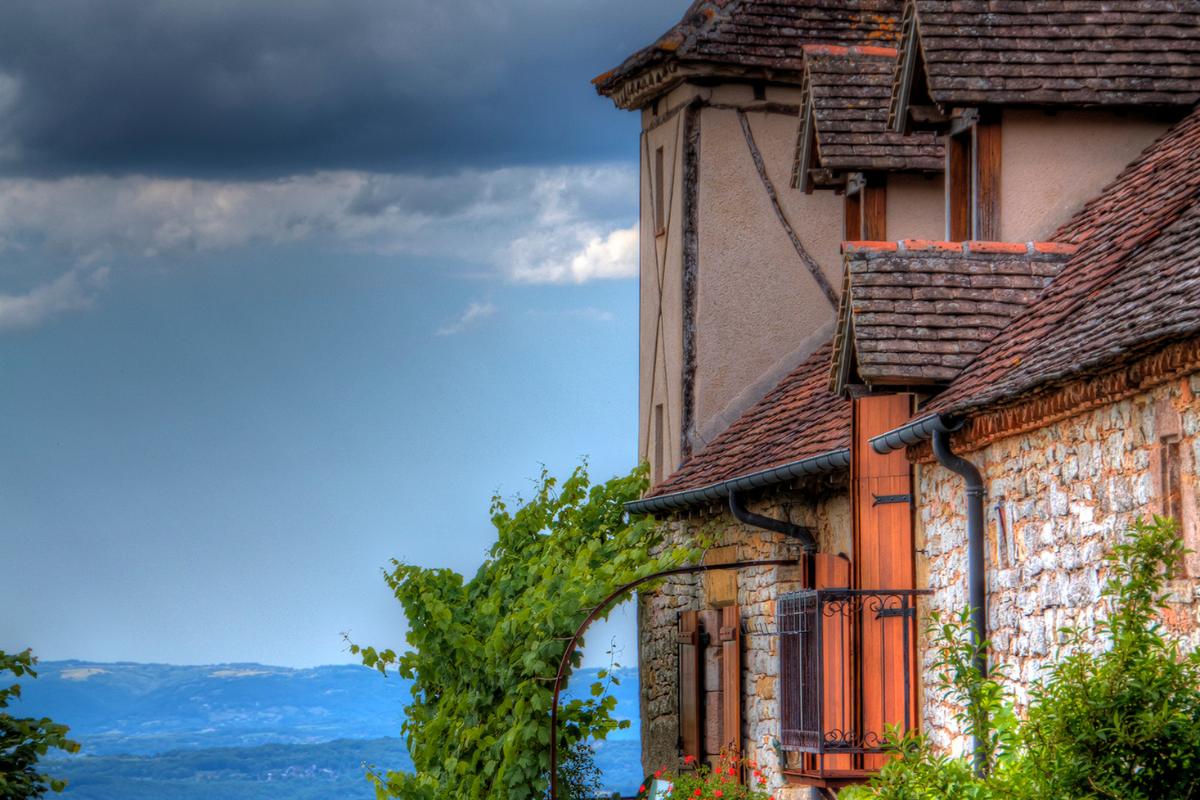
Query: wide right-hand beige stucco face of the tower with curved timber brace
x=759, y=308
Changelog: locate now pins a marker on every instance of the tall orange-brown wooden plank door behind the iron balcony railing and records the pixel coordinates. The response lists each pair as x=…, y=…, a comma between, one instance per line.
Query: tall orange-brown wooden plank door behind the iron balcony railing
x=884, y=560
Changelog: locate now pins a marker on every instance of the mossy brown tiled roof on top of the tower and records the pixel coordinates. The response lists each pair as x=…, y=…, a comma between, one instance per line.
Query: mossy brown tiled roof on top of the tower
x=769, y=34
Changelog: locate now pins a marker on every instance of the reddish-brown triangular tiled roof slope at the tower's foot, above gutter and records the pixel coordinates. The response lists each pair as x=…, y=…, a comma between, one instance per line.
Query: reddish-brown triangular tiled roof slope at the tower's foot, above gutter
x=799, y=419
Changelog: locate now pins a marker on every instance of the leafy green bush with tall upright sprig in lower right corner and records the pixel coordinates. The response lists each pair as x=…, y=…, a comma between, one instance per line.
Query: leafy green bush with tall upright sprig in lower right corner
x=1126, y=723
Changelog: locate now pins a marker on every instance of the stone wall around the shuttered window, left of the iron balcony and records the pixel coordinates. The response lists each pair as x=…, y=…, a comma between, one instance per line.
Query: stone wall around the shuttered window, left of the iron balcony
x=757, y=592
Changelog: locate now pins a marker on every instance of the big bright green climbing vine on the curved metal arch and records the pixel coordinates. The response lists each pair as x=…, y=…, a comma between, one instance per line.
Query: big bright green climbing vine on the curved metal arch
x=484, y=653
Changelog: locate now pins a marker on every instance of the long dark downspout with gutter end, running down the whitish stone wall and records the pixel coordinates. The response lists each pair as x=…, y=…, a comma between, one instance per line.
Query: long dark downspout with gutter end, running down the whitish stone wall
x=939, y=431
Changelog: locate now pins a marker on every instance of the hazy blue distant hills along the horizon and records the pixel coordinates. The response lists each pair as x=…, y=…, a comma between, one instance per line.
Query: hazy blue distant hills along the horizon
x=250, y=732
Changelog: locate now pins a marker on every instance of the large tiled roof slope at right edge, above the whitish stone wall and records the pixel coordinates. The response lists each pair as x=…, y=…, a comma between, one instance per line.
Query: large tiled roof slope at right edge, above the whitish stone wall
x=1135, y=282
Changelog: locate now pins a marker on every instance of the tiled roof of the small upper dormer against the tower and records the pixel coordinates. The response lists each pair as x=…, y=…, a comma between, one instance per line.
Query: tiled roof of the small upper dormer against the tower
x=849, y=93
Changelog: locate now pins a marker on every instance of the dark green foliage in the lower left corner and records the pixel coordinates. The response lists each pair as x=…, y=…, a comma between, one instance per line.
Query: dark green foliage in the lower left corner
x=25, y=741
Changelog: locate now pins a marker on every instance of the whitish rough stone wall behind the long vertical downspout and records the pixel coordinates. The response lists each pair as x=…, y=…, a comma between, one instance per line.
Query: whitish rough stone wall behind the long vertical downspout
x=1058, y=500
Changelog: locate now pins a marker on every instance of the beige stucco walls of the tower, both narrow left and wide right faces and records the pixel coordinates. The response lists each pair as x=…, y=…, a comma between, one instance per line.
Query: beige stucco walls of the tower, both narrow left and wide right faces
x=759, y=311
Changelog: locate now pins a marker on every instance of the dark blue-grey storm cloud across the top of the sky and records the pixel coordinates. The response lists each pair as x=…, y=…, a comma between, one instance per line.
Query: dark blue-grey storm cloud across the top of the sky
x=220, y=88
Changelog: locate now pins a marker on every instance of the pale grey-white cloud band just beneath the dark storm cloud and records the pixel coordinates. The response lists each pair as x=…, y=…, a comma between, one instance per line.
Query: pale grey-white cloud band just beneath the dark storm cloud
x=561, y=225
